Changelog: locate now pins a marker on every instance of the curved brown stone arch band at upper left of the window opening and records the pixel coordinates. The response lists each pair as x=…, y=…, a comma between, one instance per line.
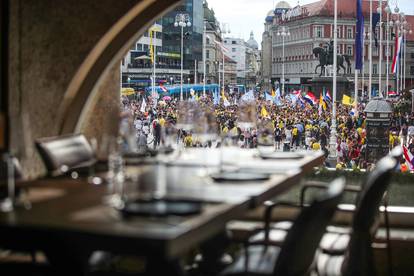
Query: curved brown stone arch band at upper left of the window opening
x=110, y=49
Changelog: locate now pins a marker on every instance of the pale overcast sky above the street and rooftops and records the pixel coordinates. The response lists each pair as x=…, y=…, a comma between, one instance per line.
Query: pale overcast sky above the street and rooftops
x=243, y=16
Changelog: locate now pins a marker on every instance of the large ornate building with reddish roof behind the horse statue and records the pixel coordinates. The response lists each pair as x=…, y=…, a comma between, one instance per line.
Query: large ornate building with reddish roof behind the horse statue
x=311, y=26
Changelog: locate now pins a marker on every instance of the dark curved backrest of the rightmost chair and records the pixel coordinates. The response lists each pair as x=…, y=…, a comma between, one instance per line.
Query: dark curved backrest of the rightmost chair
x=359, y=256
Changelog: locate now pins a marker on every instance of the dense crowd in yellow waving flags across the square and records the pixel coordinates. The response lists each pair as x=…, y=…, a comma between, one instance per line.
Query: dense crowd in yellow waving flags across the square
x=289, y=125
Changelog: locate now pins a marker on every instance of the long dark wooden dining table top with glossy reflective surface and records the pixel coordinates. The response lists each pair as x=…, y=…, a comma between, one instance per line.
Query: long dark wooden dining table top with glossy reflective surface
x=76, y=211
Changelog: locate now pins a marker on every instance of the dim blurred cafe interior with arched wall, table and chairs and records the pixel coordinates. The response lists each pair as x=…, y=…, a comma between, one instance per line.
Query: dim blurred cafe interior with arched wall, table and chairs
x=169, y=214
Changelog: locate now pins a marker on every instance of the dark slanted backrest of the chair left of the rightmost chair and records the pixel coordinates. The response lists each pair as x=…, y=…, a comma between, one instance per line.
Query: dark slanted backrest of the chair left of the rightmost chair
x=298, y=250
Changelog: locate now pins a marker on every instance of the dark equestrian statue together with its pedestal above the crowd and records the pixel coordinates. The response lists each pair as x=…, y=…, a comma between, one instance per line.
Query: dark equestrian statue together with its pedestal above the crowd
x=323, y=82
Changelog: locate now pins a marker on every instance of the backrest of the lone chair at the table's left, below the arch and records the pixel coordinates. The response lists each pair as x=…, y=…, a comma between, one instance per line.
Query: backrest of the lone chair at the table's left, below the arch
x=69, y=150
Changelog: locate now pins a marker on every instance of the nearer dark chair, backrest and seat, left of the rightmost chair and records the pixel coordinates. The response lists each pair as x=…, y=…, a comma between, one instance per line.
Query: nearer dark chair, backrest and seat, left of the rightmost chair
x=295, y=255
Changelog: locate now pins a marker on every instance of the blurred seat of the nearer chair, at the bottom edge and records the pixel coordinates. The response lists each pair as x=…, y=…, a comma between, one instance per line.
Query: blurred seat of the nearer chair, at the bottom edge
x=261, y=261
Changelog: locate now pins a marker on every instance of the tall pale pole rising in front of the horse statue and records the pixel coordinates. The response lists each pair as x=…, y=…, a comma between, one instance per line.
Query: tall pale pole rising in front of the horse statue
x=332, y=140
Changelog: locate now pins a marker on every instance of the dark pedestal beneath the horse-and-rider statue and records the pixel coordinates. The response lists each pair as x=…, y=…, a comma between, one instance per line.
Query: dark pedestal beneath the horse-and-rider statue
x=343, y=86
